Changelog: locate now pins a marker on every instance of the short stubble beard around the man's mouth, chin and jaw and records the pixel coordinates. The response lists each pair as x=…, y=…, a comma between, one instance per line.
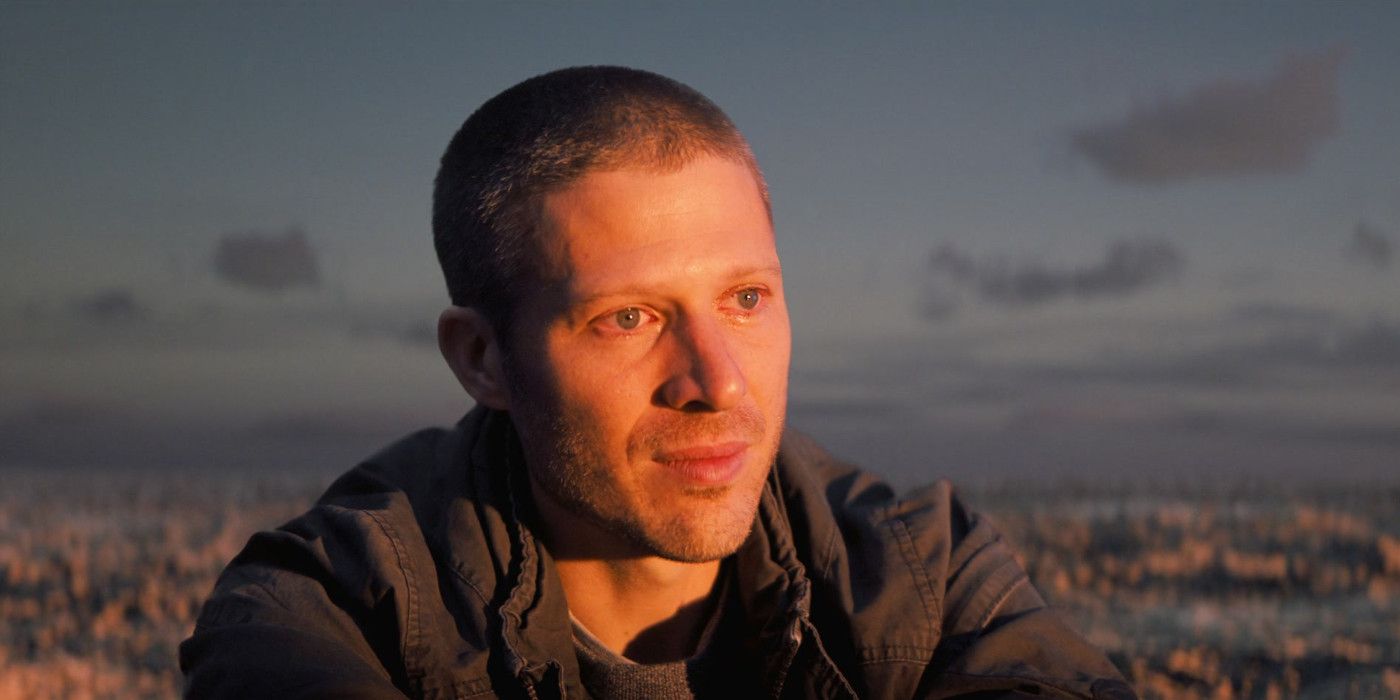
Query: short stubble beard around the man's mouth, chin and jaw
x=691, y=526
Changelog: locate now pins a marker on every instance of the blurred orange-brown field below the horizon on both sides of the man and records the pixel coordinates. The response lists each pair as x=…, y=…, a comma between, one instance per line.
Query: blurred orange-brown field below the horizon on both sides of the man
x=1224, y=591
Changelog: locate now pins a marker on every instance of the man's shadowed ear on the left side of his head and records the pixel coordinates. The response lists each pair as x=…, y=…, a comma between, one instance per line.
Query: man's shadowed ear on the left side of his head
x=470, y=345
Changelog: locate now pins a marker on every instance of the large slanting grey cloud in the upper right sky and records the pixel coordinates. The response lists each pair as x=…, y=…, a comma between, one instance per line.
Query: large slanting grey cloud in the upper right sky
x=1223, y=128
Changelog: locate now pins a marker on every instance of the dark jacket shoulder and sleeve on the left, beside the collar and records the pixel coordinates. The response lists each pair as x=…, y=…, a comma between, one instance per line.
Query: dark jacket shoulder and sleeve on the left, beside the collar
x=349, y=584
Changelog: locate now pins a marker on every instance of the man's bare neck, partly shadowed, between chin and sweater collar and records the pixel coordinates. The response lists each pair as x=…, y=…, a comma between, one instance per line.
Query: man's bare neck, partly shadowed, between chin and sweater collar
x=639, y=605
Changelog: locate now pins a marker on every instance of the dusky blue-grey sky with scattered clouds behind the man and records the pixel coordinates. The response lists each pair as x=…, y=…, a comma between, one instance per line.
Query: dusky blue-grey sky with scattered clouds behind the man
x=1020, y=240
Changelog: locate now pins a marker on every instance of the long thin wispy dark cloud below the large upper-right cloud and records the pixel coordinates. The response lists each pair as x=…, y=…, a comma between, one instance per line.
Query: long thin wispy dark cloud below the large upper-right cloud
x=1128, y=267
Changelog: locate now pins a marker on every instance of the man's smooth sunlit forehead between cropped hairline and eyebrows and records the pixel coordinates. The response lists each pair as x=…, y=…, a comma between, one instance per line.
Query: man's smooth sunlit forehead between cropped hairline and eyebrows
x=661, y=229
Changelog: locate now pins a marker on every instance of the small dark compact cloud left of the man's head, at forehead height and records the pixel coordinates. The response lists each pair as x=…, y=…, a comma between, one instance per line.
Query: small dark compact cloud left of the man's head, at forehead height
x=268, y=262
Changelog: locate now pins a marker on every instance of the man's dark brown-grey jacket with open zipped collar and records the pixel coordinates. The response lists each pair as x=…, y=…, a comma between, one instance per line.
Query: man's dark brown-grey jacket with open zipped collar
x=418, y=573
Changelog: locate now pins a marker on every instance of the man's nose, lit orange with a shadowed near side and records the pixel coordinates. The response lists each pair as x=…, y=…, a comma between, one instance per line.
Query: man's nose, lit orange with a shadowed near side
x=706, y=374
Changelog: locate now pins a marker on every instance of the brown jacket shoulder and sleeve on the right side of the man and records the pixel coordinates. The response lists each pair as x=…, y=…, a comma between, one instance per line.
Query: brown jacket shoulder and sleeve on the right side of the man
x=927, y=590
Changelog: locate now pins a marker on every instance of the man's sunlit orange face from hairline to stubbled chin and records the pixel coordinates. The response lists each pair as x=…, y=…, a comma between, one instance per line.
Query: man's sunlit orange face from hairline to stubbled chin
x=650, y=380
